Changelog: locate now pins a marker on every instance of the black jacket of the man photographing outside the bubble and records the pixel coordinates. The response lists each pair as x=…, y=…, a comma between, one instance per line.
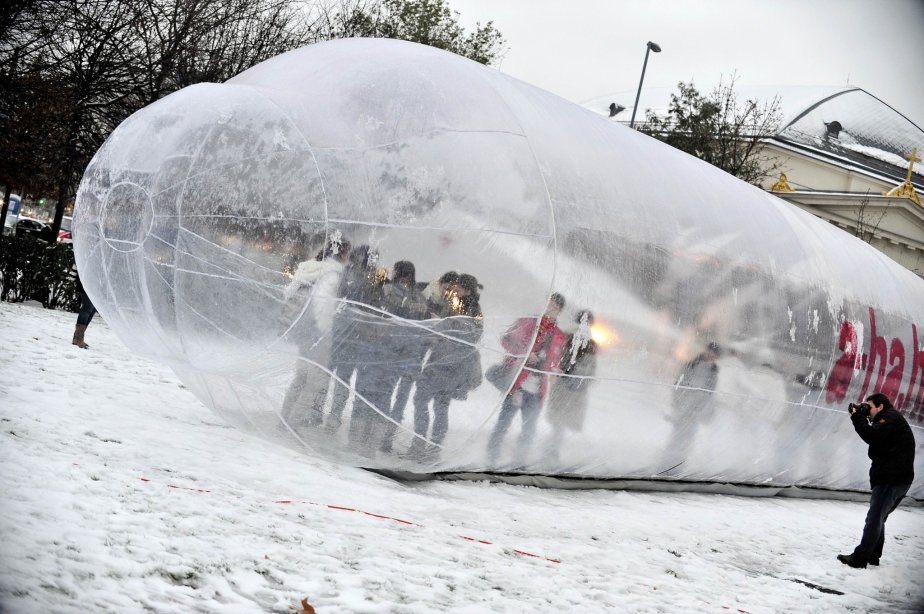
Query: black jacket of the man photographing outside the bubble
x=891, y=446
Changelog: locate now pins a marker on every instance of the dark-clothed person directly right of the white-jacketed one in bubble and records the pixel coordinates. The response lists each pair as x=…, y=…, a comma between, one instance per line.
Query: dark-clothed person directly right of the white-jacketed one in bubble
x=360, y=302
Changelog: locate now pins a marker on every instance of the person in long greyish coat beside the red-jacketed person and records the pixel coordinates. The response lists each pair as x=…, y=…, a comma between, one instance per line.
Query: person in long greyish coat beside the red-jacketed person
x=567, y=404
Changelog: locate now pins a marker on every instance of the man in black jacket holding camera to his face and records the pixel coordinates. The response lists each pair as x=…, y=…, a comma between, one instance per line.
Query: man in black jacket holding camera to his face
x=891, y=448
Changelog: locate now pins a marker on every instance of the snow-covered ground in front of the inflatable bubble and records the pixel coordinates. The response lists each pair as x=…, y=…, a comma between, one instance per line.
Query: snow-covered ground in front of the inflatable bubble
x=120, y=492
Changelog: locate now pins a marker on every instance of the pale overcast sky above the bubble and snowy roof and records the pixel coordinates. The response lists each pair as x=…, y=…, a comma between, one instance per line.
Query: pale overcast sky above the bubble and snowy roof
x=589, y=49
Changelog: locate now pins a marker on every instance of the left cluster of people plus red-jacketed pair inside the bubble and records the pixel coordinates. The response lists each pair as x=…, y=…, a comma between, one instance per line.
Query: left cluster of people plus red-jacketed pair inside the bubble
x=395, y=334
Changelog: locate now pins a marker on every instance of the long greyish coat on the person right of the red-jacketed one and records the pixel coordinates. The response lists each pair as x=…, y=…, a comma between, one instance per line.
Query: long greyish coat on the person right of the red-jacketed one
x=568, y=397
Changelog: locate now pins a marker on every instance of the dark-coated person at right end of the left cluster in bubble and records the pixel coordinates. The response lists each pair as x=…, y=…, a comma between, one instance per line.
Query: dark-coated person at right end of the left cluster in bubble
x=453, y=367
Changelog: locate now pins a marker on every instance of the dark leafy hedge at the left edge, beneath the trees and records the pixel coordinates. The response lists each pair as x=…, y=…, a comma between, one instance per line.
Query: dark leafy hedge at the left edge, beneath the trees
x=32, y=269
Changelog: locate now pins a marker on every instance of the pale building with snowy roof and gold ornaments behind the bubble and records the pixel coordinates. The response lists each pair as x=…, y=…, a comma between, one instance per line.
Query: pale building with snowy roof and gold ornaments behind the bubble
x=845, y=158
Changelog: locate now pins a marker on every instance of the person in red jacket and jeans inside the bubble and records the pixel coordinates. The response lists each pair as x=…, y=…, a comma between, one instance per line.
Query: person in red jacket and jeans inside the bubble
x=532, y=382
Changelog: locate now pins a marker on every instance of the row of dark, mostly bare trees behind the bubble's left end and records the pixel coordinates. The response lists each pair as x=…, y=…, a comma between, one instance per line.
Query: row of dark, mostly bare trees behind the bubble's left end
x=72, y=70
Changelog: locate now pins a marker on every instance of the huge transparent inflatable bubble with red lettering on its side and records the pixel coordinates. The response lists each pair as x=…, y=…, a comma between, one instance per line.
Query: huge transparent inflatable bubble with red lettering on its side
x=391, y=256
